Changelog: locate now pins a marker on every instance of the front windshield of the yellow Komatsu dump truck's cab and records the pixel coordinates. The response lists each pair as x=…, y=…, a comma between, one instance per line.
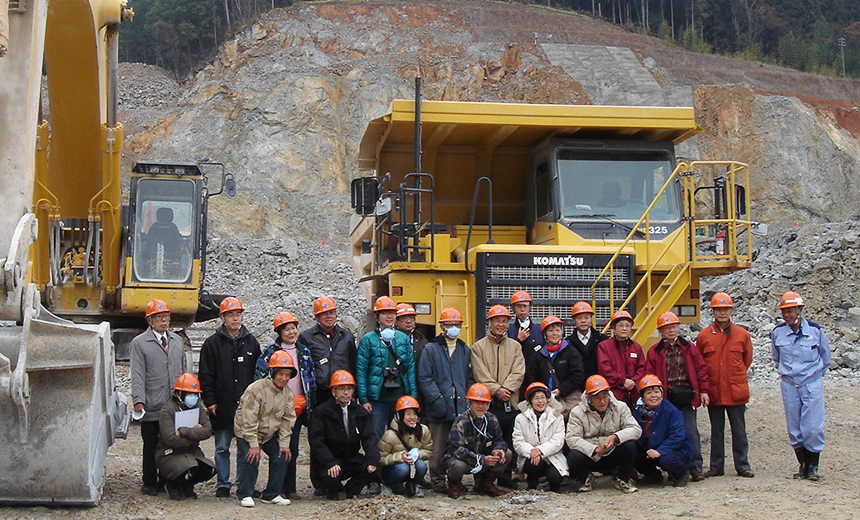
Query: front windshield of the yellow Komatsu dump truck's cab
x=619, y=186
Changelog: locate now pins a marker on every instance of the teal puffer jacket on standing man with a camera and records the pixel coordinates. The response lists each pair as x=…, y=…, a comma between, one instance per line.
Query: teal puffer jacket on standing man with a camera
x=371, y=358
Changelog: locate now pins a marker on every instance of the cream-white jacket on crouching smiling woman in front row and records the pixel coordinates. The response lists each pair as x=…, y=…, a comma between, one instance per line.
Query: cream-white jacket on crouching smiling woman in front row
x=550, y=441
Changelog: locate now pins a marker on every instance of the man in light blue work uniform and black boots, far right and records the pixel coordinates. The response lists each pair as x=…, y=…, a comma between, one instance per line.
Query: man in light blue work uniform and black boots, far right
x=802, y=356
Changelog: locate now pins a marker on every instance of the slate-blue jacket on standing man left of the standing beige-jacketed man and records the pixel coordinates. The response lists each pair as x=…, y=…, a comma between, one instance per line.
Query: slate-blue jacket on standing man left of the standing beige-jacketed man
x=444, y=380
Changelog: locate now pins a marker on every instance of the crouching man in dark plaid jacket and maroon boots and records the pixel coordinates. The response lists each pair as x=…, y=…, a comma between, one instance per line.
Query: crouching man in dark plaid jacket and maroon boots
x=476, y=446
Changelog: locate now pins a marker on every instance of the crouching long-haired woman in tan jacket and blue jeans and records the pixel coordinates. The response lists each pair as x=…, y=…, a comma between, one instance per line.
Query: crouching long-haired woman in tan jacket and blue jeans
x=405, y=449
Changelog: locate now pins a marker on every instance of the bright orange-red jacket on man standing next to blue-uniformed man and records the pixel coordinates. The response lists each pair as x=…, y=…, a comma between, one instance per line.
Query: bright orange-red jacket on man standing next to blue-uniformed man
x=728, y=355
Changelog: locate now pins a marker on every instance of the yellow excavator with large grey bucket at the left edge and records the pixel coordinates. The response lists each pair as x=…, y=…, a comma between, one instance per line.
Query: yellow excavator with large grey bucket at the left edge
x=79, y=264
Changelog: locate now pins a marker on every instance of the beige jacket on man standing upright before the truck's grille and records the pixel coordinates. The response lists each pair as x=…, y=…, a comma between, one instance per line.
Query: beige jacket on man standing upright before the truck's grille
x=499, y=365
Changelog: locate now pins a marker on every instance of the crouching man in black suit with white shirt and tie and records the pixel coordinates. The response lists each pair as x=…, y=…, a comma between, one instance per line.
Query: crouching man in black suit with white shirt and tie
x=340, y=430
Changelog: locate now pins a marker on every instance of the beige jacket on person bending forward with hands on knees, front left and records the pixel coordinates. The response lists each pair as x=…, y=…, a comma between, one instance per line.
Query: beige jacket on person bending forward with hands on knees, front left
x=265, y=410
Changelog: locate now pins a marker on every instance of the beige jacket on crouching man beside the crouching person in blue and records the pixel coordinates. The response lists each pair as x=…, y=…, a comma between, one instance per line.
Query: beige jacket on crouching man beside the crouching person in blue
x=586, y=428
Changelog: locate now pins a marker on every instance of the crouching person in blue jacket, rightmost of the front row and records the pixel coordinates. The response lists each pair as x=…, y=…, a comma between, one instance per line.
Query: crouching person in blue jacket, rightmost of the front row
x=664, y=444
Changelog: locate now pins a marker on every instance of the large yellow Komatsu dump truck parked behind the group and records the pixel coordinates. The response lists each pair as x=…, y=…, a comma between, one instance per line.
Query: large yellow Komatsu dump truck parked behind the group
x=567, y=202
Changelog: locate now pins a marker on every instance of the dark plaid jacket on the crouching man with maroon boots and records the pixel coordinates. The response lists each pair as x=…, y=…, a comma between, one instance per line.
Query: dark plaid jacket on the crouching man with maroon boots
x=468, y=444
